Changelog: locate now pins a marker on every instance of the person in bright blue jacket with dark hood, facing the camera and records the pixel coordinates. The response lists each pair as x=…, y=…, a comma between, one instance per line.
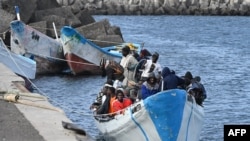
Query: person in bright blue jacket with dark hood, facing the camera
x=149, y=87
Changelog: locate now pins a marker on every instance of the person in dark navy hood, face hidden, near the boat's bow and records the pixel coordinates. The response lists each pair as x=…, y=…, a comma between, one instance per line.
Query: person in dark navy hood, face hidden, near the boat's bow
x=170, y=80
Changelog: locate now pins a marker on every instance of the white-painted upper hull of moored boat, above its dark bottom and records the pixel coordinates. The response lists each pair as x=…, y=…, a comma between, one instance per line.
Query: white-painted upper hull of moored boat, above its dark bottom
x=25, y=39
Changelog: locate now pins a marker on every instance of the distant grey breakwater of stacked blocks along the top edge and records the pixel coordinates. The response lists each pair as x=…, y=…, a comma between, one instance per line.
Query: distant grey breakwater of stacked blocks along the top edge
x=161, y=7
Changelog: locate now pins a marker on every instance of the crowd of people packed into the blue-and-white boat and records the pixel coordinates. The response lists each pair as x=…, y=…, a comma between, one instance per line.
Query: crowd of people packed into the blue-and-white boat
x=136, y=77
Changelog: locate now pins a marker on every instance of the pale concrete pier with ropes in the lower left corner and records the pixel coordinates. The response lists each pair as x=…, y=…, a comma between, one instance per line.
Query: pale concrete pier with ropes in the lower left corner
x=31, y=117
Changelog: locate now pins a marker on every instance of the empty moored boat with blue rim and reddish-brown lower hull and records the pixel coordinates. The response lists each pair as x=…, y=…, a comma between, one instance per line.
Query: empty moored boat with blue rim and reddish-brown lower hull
x=83, y=56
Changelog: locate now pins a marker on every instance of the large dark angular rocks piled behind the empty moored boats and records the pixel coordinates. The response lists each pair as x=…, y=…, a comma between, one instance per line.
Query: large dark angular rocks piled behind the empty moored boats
x=40, y=14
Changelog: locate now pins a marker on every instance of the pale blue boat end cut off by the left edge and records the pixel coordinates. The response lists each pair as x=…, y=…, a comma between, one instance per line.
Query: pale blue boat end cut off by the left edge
x=17, y=63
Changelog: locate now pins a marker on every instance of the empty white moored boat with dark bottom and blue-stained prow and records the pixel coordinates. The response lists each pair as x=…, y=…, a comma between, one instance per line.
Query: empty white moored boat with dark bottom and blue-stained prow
x=47, y=52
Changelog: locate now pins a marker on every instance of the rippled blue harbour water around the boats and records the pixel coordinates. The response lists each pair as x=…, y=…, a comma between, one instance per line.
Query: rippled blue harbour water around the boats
x=215, y=48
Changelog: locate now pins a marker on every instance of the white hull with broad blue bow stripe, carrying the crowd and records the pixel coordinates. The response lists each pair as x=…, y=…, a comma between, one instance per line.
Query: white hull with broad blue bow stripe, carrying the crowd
x=170, y=115
